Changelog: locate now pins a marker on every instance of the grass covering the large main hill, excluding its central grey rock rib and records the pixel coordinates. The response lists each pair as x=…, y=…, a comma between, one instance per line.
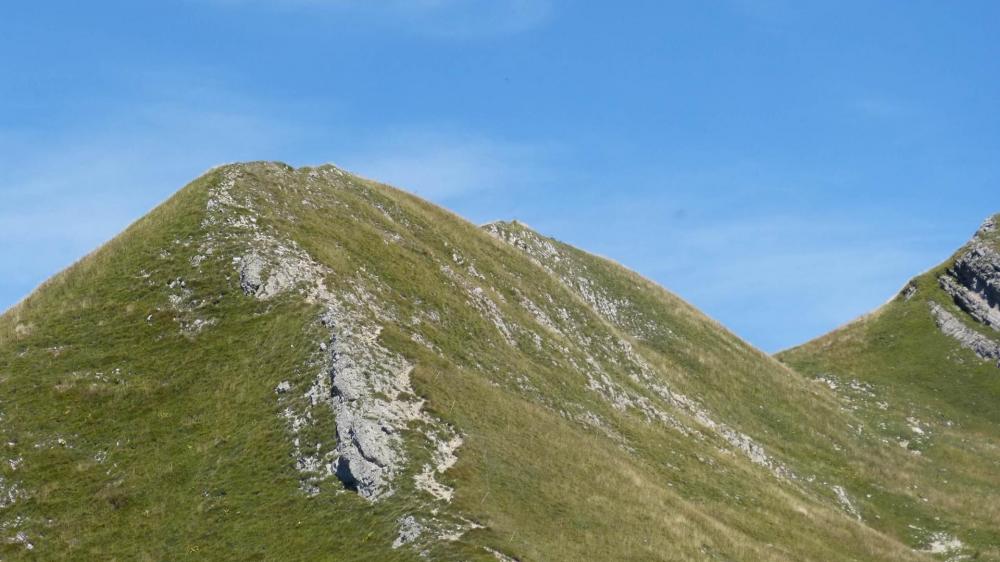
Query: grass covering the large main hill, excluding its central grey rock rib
x=174, y=447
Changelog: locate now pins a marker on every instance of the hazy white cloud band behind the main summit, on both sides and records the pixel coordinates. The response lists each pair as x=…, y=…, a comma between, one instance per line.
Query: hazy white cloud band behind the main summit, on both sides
x=63, y=195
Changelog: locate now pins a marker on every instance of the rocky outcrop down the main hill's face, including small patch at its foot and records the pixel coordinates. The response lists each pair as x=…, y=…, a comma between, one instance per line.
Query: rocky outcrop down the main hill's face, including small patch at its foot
x=381, y=425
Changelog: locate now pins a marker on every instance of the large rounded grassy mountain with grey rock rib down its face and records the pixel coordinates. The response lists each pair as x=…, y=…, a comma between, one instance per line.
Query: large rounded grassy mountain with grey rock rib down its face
x=302, y=364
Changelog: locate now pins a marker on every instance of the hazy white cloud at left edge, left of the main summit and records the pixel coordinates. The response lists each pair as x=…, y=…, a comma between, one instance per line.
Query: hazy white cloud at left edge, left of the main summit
x=62, y=196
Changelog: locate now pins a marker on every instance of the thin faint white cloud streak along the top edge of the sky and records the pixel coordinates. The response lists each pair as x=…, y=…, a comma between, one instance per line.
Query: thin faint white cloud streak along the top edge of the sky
x=457, y=19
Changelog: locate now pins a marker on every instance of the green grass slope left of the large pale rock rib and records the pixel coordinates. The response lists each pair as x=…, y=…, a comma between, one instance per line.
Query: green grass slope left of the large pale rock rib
x=187, y=430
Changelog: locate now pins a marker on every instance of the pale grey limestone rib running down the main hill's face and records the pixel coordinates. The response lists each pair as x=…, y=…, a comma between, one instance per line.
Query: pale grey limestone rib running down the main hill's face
x=366, y=385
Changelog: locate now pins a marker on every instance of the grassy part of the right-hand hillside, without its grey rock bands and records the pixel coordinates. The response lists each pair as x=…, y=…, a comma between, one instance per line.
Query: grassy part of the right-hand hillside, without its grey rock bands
x=918, y=373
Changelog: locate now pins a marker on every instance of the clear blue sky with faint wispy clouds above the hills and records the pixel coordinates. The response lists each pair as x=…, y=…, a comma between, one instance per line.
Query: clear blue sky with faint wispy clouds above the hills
x=783, y=165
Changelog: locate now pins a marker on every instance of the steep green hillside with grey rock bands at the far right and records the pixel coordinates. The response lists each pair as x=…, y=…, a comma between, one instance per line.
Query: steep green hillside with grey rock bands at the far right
x=922, y=372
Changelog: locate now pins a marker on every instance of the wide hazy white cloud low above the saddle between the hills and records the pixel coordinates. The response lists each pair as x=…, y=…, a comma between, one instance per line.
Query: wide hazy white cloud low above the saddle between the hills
x=743, y=242
